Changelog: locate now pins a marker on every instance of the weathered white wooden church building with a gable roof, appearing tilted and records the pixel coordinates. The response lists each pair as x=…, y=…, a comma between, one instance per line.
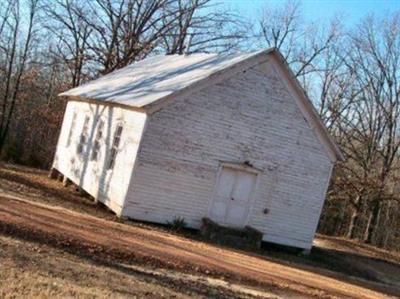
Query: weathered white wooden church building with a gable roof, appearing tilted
x=229, y=137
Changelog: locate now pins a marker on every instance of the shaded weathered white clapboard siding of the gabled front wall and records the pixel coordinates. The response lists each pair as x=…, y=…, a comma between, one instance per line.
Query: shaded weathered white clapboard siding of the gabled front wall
x=252, y=116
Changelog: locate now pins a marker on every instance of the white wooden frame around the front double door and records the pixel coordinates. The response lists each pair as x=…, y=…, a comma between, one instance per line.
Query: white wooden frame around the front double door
x=242, y=167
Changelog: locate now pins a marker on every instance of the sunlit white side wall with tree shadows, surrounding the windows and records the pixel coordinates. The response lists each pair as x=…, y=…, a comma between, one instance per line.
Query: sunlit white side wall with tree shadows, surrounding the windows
x=108, y=186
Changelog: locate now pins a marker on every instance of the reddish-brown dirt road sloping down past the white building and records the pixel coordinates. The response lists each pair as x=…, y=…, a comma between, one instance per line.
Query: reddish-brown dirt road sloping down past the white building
x=110, y=240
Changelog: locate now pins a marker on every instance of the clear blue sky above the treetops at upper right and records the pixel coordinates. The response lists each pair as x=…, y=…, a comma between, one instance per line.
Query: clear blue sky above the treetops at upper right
x=317, y=10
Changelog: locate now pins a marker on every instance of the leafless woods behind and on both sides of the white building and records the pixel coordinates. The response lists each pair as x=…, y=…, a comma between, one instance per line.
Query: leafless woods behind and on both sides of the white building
x=352, y=75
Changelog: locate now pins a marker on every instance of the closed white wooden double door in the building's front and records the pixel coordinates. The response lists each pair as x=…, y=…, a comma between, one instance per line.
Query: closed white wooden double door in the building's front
x=231, y=201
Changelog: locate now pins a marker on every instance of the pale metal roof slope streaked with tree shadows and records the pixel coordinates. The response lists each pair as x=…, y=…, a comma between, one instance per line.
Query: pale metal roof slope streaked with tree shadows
x=144, y=82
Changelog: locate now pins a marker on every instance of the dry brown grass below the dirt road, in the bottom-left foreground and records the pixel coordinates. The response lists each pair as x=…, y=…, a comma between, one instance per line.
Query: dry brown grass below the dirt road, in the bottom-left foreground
x=32, y=270
